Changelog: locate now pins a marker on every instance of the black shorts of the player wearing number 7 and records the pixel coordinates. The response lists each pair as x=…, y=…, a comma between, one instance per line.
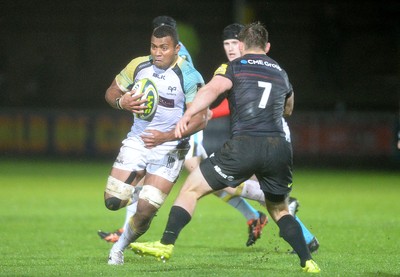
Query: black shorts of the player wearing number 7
x=269, y=158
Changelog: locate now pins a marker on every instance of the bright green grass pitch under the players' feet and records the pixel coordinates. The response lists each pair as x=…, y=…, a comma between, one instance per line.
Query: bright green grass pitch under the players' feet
x=50, y=212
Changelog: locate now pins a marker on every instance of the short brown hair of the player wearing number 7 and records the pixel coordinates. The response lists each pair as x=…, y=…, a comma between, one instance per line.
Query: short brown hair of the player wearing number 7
x=254, y=35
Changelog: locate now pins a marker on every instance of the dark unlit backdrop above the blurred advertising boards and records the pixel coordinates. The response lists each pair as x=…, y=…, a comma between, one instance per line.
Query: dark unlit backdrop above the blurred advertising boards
x=339, y=54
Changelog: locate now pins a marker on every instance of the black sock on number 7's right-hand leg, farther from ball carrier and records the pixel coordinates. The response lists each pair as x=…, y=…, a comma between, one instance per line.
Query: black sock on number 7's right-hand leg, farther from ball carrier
x=290, y=231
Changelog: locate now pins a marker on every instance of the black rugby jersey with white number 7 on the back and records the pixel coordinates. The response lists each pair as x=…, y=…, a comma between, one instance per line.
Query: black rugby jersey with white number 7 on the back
x=257, y=98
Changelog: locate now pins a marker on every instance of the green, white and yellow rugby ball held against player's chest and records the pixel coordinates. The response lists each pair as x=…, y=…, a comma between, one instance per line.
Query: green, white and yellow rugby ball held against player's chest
x=150, y=93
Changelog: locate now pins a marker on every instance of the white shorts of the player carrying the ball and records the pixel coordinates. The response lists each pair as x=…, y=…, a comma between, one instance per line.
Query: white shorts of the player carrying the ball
x=163, y=161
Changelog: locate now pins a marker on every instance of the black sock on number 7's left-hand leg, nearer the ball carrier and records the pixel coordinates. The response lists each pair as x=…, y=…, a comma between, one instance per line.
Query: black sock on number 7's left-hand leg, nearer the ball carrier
x=177, y=219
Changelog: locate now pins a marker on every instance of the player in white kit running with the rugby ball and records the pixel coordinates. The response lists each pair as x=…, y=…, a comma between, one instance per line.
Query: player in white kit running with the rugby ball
x=177, y=82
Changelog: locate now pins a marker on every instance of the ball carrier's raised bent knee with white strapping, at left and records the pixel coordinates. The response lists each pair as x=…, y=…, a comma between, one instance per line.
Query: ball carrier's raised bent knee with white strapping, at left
x=117, y=194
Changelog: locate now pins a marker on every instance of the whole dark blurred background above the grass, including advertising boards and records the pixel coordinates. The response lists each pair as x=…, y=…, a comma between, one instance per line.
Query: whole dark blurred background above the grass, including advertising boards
x=57, y=58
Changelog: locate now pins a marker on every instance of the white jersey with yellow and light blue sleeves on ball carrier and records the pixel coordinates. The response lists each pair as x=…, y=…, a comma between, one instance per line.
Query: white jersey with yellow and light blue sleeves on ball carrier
x=176, y=86
